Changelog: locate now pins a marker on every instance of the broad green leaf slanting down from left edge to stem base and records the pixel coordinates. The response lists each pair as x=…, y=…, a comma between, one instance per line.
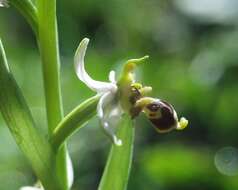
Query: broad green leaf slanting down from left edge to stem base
x=18, y=118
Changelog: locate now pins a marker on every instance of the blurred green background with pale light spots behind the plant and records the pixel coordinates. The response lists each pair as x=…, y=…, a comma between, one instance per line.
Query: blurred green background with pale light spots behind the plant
x=193, y=48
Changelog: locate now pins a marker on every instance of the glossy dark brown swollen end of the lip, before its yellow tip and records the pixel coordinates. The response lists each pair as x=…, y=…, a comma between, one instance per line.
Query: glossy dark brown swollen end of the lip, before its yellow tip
x=167, y=121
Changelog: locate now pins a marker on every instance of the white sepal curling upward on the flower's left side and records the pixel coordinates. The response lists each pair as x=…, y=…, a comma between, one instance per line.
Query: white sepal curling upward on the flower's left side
x=97, y=86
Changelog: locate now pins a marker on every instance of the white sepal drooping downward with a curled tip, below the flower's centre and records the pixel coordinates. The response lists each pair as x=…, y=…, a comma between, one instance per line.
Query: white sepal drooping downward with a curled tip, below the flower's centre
x=105, y=101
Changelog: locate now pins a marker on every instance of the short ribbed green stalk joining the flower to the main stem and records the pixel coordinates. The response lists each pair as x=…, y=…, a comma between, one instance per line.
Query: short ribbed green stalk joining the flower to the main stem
x=74, y=121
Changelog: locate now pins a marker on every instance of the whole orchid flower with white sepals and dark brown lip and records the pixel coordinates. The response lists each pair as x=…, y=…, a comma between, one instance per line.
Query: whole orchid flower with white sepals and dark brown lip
x=125, y=95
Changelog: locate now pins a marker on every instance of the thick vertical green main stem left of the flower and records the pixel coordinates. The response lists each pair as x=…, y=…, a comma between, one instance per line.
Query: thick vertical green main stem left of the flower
x=48, y=42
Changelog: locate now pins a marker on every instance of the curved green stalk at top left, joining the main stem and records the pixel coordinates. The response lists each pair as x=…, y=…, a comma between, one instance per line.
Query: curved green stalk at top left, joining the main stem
x=28, y=10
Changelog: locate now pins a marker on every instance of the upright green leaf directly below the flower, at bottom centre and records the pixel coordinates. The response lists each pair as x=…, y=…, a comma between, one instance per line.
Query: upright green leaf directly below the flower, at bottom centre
x=117, y=170
